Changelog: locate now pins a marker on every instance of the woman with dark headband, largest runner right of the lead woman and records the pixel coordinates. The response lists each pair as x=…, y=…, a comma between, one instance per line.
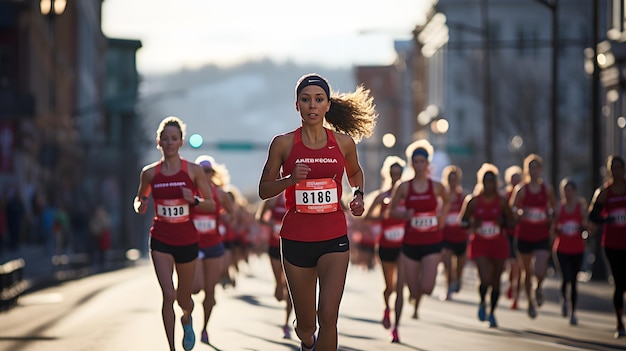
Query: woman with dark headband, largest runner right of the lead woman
x=424, y=219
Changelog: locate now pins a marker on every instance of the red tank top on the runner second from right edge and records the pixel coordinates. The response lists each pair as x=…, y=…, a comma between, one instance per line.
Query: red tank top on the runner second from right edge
x=569, y=238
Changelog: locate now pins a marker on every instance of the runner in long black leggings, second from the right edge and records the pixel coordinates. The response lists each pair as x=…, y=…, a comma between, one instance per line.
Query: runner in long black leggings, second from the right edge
x=569, y=245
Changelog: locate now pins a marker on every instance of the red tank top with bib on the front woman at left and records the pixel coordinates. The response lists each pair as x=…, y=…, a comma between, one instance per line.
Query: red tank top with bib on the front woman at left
x=172, y=223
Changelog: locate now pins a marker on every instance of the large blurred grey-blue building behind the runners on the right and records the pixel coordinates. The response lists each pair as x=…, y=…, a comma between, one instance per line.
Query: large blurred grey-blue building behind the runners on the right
x=489, y=67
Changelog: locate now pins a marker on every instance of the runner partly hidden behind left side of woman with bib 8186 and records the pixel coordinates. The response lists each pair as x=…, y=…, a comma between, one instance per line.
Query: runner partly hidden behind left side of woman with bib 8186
x=271, y=214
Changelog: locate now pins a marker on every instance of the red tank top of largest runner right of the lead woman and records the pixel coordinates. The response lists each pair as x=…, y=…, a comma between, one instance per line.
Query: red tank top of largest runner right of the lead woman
x=422, y=228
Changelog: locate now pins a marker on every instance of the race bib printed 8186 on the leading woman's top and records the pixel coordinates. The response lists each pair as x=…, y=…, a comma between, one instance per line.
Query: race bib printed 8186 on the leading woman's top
x=317, y=196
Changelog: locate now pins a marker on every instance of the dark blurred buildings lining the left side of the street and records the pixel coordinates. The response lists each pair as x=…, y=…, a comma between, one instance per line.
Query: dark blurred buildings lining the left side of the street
x=57, y=131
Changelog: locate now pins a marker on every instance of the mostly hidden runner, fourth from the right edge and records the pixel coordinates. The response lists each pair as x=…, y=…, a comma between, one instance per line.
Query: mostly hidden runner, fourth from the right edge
x=512, y=177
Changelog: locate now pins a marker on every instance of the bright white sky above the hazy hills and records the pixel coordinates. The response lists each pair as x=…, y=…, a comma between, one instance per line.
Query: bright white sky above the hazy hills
x=191, y=33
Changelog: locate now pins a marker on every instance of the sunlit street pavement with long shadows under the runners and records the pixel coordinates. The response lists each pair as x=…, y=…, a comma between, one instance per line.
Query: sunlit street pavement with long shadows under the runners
x=121, y=309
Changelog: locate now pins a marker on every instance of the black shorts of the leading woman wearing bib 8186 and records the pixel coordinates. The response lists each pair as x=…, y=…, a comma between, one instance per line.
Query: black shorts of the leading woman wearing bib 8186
x=306, y=254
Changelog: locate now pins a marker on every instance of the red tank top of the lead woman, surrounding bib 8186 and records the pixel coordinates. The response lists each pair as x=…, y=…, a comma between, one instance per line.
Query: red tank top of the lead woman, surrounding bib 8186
x=325, y=163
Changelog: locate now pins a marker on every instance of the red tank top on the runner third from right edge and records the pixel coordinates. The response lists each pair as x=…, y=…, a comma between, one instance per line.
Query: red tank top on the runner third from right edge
x=533, y=225
